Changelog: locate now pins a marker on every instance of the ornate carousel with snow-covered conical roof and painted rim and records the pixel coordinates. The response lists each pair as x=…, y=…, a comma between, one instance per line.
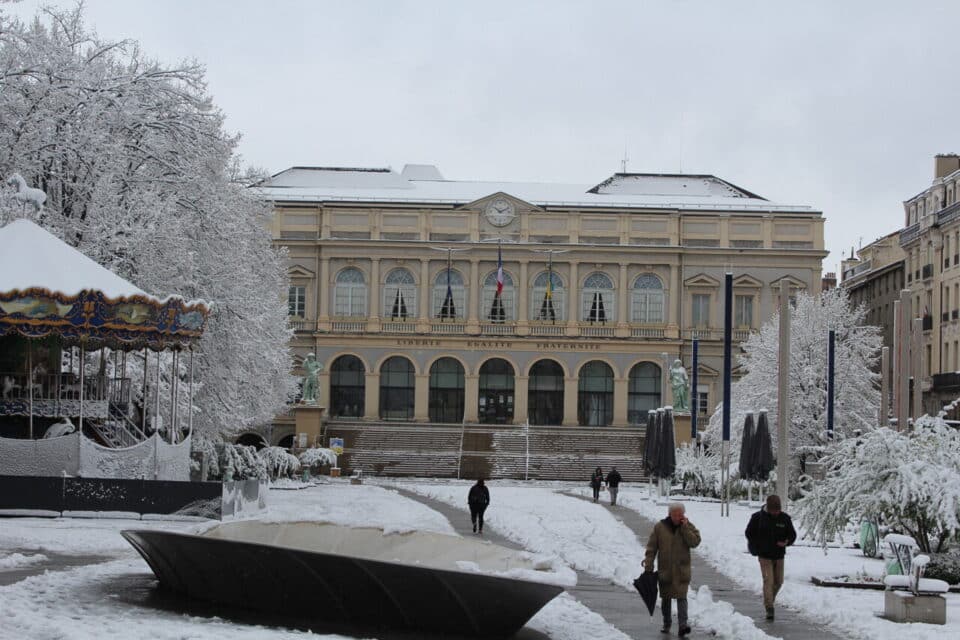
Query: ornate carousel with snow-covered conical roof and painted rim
x=96, y=376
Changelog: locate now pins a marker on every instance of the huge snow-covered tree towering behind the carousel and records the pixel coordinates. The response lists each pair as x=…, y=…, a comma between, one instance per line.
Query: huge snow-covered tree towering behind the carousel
x=141, y=176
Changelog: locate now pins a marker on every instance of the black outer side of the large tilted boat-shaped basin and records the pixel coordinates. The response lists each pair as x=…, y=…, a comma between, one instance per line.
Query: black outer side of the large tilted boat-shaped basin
x=340, y=590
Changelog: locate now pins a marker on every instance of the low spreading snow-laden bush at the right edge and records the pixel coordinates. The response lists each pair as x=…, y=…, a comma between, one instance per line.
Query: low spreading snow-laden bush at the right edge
x=909, y=480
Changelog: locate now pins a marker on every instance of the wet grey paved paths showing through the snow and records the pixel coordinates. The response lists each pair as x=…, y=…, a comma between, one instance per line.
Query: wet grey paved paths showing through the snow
x=624, y=609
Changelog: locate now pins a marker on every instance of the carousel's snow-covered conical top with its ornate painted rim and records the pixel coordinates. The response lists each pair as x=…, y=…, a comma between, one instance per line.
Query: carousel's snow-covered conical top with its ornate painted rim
x=49, y=288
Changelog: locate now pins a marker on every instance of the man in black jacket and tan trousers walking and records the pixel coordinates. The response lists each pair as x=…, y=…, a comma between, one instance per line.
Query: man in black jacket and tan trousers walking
x=769, y=533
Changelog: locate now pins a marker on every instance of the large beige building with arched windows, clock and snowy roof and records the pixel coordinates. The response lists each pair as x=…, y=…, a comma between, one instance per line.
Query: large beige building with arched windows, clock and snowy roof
x=433, y=300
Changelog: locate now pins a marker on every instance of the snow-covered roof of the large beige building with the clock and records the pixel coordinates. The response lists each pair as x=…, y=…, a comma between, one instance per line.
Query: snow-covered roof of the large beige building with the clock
x=425, y=184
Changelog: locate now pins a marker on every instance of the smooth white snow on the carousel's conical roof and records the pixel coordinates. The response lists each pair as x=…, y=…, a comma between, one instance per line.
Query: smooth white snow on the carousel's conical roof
x=31, y=256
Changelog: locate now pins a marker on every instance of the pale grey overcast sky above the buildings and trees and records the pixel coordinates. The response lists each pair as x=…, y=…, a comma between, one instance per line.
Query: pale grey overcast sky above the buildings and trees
x=836, y=105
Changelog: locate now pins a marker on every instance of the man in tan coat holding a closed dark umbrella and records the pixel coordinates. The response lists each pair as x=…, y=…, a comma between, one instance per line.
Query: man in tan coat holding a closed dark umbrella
x=670, y=542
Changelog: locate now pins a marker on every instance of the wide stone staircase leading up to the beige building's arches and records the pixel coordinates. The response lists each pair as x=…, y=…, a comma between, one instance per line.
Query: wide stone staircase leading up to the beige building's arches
x=467, y=451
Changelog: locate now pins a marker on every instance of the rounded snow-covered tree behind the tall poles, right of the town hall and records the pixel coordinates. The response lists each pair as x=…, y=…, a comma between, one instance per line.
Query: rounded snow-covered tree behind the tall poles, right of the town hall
x=856, y=386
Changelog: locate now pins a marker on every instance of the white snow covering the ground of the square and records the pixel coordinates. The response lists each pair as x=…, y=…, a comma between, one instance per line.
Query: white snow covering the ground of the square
x=111, y=599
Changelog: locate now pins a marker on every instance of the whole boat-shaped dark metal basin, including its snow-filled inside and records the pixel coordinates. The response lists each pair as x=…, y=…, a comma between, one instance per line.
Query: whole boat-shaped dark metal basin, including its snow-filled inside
x=348, y=585
